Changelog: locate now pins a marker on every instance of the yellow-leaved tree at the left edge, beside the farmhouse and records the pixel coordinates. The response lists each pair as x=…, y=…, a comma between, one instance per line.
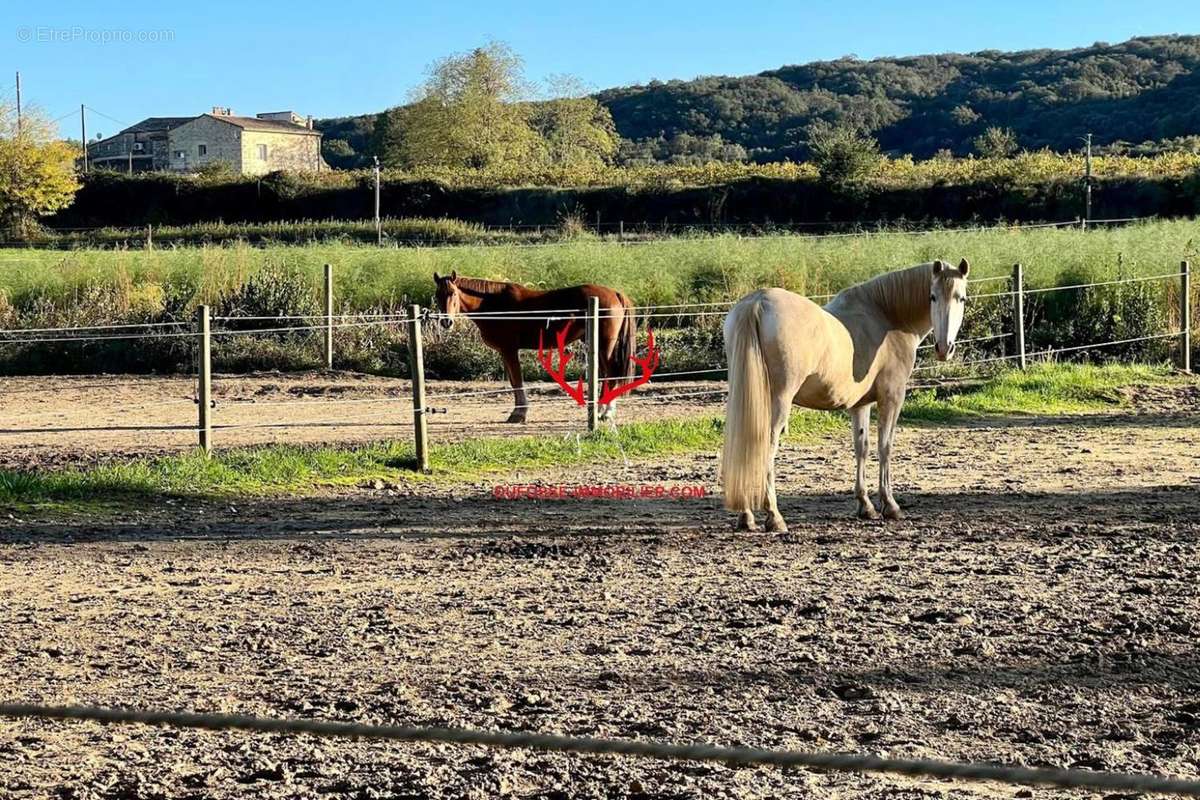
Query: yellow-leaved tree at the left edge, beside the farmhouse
x=38, y=175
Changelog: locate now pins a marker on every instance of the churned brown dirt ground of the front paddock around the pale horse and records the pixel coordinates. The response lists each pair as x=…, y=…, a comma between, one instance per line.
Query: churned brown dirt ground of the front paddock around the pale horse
x=1039, y=605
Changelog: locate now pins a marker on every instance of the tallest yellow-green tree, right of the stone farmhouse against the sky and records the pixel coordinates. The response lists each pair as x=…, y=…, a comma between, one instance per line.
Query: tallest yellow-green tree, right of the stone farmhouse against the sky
x=466, y=115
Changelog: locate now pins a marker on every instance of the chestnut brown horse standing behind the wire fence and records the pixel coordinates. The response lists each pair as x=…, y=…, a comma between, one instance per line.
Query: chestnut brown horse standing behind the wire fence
x=513, y=318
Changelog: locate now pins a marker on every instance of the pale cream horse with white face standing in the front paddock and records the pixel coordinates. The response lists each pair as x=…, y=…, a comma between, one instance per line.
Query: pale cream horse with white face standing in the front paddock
x=860, y=350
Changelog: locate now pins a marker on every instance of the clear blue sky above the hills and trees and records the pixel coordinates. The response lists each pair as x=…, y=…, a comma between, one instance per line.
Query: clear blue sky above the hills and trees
x=351, y=57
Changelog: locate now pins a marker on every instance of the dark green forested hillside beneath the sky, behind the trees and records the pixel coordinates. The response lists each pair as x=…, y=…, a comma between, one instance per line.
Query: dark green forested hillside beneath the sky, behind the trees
x=1130, y=94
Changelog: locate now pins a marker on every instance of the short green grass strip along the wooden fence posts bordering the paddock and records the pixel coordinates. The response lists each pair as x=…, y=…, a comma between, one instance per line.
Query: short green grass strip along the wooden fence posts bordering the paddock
x=281, y=470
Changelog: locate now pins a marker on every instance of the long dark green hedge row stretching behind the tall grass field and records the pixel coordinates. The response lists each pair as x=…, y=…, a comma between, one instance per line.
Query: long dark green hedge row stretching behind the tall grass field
x=111, y=200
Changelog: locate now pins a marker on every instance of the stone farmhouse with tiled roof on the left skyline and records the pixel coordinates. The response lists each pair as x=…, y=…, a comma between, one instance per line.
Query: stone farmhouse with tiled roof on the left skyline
x=251, y=146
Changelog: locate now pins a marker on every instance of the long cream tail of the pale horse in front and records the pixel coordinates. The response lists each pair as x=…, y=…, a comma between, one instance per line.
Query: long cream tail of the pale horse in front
x=745, y=461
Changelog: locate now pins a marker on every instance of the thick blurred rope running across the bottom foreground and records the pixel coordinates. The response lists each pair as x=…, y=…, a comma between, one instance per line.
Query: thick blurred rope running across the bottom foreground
x=735, y=756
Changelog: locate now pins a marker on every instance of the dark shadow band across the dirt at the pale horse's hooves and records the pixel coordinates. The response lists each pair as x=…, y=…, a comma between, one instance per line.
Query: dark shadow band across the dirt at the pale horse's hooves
x=484, y=516
